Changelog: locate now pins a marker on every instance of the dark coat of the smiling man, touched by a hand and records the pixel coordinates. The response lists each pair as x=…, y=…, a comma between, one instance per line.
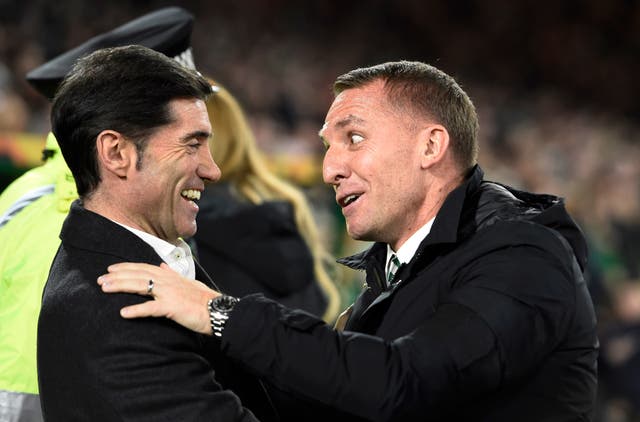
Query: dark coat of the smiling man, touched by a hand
x=94, y=365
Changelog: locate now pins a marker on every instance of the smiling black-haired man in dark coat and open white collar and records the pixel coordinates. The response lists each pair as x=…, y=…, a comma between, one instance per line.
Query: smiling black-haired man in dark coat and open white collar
x=133, y=127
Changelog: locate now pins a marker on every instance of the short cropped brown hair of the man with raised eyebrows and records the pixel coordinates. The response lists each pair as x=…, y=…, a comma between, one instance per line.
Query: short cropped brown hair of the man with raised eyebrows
x=430, y=91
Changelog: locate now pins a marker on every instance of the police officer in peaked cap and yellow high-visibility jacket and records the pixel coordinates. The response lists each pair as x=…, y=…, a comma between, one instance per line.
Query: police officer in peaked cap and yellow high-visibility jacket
x=34, y=206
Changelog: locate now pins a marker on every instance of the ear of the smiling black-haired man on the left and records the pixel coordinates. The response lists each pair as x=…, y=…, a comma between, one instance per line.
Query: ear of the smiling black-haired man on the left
x=115, y=154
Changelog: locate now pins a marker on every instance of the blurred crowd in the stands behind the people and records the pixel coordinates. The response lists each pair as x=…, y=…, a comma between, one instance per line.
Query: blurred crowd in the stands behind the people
x=554, y=86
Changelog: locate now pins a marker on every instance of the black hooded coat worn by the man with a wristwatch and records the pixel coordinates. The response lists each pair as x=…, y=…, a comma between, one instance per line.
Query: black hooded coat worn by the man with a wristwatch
x=490, y=321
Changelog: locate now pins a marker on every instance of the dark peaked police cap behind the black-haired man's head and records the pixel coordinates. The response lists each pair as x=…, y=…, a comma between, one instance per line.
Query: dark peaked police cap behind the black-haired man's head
x=166, y=30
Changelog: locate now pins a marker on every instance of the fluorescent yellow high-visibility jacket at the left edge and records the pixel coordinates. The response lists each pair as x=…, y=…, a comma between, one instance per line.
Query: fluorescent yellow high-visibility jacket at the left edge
x=32, y=210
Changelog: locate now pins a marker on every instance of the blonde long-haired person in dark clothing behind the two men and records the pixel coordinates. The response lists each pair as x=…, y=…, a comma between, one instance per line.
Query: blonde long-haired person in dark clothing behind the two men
x=256, y=232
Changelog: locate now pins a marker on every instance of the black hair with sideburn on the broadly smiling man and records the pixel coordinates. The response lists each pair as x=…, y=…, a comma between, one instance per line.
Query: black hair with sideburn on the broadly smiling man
x=126, y=89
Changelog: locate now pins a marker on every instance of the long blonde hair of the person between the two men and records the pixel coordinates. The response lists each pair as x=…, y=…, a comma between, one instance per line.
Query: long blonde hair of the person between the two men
x=235, y=150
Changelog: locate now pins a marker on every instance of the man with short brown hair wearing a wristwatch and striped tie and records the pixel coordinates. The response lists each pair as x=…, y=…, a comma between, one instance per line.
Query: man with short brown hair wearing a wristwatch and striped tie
x=475, y=307
